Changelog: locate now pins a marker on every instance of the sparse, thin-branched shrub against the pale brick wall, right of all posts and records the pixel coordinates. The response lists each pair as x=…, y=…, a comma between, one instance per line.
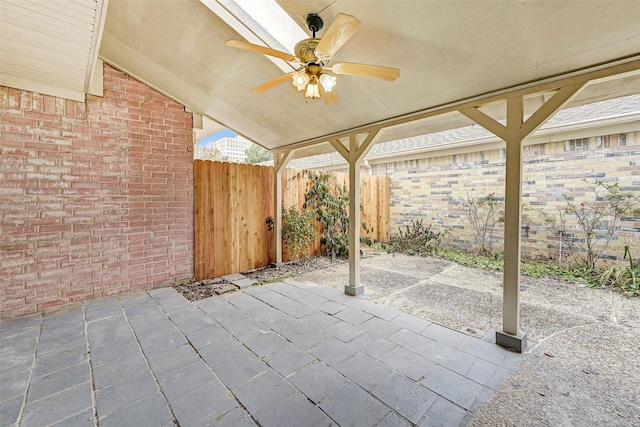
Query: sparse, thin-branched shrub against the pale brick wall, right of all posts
x=589, y=226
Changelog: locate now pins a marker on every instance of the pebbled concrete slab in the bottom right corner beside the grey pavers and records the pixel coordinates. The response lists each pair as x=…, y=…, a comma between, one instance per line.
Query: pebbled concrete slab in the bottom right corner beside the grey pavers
x=585, y=376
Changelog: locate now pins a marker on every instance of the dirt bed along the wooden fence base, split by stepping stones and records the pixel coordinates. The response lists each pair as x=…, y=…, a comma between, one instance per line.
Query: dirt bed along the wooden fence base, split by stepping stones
x=198, y=290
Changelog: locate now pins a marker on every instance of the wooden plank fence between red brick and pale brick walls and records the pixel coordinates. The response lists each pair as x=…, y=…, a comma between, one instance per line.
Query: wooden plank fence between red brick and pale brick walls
x=233, y=202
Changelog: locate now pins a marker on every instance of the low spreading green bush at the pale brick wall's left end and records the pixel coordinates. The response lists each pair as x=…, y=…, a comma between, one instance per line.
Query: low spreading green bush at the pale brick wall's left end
x=417, y=239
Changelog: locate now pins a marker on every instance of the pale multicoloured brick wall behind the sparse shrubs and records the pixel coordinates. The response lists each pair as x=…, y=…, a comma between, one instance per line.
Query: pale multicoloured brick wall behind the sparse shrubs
x=420, y=188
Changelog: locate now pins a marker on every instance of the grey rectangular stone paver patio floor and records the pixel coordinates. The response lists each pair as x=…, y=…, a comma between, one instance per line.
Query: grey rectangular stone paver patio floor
x=284, y=354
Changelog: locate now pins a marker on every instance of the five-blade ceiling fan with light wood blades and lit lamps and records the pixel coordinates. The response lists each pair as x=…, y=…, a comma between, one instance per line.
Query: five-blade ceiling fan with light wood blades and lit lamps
x=314, y=55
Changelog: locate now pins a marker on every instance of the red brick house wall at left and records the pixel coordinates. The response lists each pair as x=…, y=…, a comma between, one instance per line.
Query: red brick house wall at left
x=96, y=197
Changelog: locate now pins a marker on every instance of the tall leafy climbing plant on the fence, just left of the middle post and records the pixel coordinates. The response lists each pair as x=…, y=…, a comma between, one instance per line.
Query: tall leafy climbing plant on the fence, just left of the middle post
x=330, y=210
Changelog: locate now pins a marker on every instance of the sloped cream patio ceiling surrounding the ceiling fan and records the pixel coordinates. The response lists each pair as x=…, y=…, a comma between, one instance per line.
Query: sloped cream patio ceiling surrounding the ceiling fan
x=447, y=51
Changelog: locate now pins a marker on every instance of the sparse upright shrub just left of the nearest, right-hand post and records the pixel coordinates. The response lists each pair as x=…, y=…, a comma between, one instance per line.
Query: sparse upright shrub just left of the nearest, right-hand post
x=482, y=212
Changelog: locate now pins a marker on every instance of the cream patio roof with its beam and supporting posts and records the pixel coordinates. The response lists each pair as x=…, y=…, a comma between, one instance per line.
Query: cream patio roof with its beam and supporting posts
x=460, y=62
